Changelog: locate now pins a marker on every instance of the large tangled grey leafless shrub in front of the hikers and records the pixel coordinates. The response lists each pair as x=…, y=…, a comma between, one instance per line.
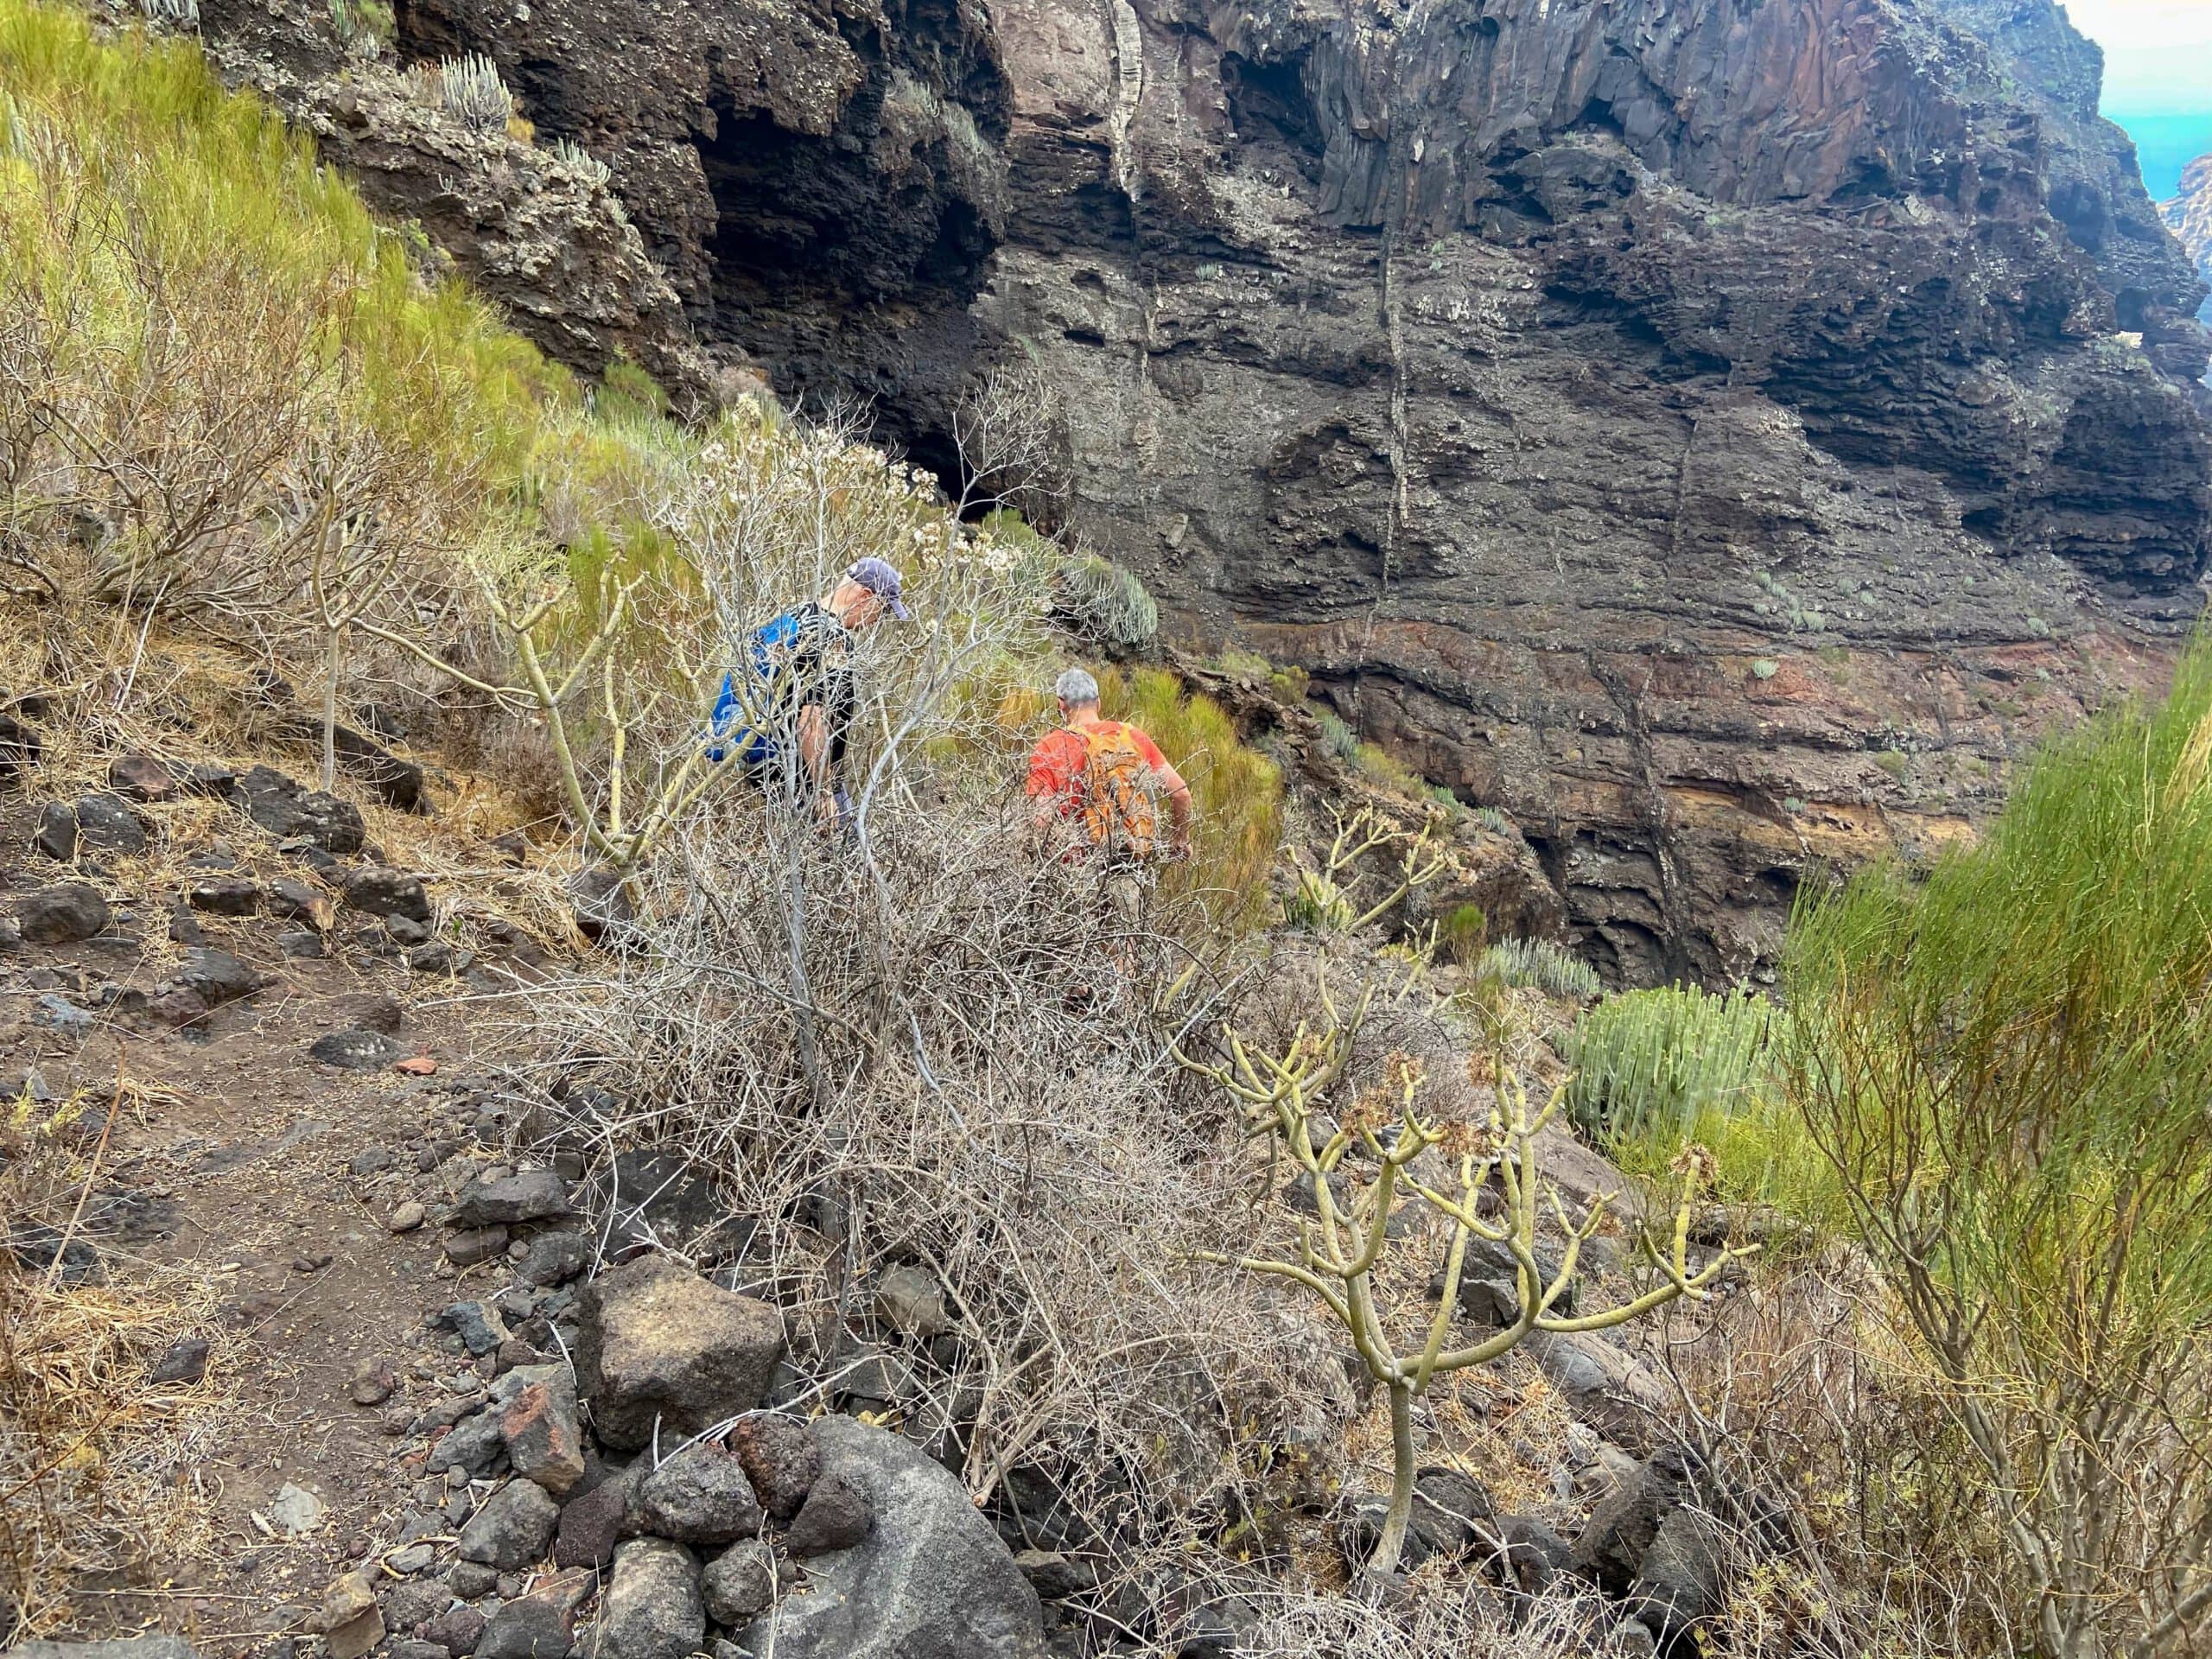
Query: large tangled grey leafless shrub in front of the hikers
x=921, y=1050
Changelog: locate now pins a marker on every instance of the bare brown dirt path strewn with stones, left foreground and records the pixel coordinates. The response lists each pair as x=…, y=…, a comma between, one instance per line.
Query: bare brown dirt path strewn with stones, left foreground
x=273, y=1180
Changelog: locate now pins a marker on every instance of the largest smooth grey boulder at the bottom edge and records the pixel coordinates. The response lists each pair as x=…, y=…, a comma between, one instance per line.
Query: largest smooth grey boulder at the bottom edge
x=928, y=1583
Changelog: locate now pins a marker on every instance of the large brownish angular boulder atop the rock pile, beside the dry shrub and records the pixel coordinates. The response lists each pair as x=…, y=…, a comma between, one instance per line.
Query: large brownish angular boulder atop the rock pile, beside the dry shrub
x=656, y=1342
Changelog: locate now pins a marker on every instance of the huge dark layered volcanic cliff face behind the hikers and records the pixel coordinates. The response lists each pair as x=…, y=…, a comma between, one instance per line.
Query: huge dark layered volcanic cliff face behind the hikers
x=1715, y=432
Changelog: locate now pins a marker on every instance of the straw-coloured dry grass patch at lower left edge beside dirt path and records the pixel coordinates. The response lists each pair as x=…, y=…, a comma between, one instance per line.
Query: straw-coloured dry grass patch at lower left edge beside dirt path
x=101, y=1470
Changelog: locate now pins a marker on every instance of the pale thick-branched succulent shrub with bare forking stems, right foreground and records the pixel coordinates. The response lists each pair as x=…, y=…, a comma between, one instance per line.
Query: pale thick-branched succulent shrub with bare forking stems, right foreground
x=1344, y=1249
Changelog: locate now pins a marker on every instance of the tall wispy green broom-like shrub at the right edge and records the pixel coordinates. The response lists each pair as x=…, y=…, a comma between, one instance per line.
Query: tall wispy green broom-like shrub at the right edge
x=2007, y=1063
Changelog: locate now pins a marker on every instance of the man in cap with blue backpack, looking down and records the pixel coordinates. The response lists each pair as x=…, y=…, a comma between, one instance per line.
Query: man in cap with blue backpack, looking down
x=789, y=705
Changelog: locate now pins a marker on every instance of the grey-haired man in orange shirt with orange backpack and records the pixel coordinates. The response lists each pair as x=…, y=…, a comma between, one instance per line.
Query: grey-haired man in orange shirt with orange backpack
x=1096, y=786
